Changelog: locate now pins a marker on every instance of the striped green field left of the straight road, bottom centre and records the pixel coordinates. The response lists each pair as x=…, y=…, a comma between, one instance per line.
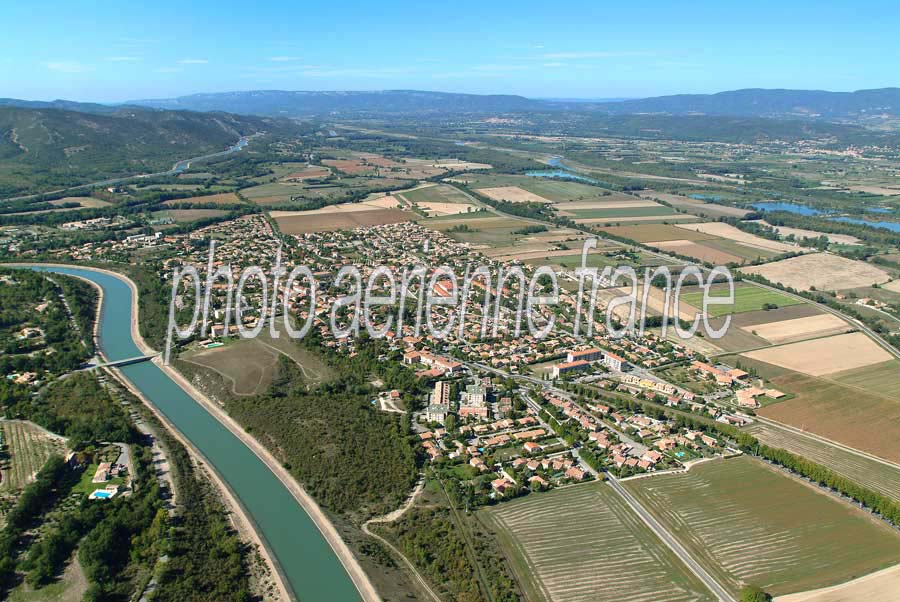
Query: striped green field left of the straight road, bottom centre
x=584, y=543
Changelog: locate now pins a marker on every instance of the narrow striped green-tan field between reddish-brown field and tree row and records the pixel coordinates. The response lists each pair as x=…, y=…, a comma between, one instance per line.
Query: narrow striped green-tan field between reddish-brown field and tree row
x=875, y=475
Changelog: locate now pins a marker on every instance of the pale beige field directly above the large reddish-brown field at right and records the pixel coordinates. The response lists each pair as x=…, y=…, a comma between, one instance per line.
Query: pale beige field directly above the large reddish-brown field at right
x=824, y=356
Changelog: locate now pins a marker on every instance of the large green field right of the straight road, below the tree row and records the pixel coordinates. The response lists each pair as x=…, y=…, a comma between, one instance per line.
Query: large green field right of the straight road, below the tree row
x=748, y=522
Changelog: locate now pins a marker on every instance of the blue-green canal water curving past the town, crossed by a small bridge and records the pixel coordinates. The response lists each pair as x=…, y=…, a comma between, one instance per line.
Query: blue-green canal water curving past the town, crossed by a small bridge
x=310, y=566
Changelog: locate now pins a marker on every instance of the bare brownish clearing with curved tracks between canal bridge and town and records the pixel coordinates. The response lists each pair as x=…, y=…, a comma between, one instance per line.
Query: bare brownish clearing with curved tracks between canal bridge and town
x=249, y=365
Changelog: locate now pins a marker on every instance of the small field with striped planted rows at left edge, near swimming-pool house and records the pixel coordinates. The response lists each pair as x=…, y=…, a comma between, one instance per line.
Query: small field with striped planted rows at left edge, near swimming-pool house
x=28, y=446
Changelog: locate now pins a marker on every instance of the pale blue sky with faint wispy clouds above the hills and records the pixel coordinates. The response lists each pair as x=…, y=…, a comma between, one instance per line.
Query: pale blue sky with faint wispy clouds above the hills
x=90, y=50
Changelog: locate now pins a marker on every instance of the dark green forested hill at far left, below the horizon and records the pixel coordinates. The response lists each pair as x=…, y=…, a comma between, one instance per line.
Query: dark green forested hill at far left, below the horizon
x=54, y=148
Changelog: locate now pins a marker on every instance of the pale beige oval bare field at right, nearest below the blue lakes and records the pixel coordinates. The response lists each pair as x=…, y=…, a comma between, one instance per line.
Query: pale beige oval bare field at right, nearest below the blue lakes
x=821, y=270
